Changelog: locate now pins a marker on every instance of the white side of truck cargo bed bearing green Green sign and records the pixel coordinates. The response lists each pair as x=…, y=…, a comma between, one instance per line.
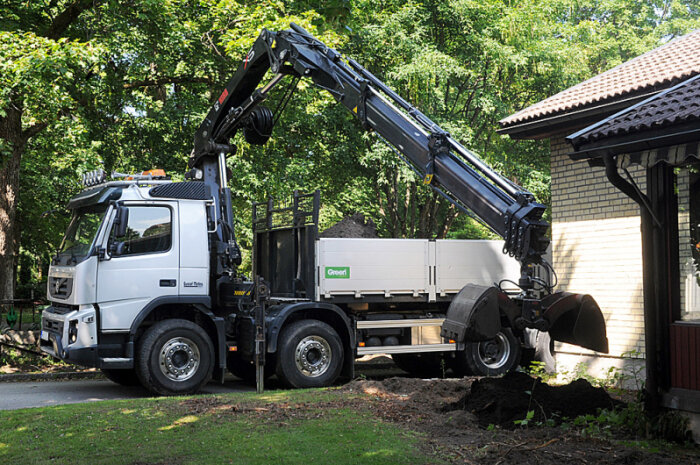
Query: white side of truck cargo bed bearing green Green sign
x=408, y=267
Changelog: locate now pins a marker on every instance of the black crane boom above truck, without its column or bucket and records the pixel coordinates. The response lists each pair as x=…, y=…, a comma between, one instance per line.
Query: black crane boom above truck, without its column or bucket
x=444, y=164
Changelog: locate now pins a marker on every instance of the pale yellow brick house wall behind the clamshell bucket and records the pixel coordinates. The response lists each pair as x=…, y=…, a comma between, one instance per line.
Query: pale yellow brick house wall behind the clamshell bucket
x=596, y=246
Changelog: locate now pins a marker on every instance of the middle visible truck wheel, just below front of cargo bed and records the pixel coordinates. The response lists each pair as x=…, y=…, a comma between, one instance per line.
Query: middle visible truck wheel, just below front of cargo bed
x=309, y=354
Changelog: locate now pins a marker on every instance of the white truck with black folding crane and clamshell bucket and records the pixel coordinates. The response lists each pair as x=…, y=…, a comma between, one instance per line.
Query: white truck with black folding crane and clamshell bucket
x=146, y=284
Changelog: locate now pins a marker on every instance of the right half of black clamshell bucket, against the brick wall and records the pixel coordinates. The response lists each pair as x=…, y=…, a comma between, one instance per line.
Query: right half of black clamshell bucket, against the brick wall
x=576, y=319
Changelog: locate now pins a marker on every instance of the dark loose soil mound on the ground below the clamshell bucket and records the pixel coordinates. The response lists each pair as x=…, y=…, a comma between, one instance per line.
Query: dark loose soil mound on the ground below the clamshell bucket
x=502, y=401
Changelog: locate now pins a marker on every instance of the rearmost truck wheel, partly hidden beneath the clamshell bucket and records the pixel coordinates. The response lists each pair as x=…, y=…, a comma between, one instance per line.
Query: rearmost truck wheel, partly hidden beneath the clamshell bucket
x=494, y=357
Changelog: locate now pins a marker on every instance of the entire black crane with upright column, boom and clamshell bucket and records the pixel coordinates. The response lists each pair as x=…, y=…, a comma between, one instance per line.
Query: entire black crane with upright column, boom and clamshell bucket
x=458, y=174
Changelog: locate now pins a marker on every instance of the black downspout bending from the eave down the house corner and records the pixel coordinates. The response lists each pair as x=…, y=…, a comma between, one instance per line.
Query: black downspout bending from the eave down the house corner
x=650, y=308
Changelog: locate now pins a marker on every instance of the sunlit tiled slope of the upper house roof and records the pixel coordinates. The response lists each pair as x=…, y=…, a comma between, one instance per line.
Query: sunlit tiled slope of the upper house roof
x=677, y=60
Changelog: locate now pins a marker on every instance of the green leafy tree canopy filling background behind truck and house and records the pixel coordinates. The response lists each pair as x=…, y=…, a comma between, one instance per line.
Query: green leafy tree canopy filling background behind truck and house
x=123, y=85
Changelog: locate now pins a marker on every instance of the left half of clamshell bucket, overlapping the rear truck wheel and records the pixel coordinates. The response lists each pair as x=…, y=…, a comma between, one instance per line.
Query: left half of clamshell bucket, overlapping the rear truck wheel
x=473, y=315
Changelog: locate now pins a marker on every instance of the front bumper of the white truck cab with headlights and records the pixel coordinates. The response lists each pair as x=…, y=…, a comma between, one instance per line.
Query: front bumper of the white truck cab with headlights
x=71, y=336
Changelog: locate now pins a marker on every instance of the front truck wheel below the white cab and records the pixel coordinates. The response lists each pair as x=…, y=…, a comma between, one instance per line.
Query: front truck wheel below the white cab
x=174, y=357
